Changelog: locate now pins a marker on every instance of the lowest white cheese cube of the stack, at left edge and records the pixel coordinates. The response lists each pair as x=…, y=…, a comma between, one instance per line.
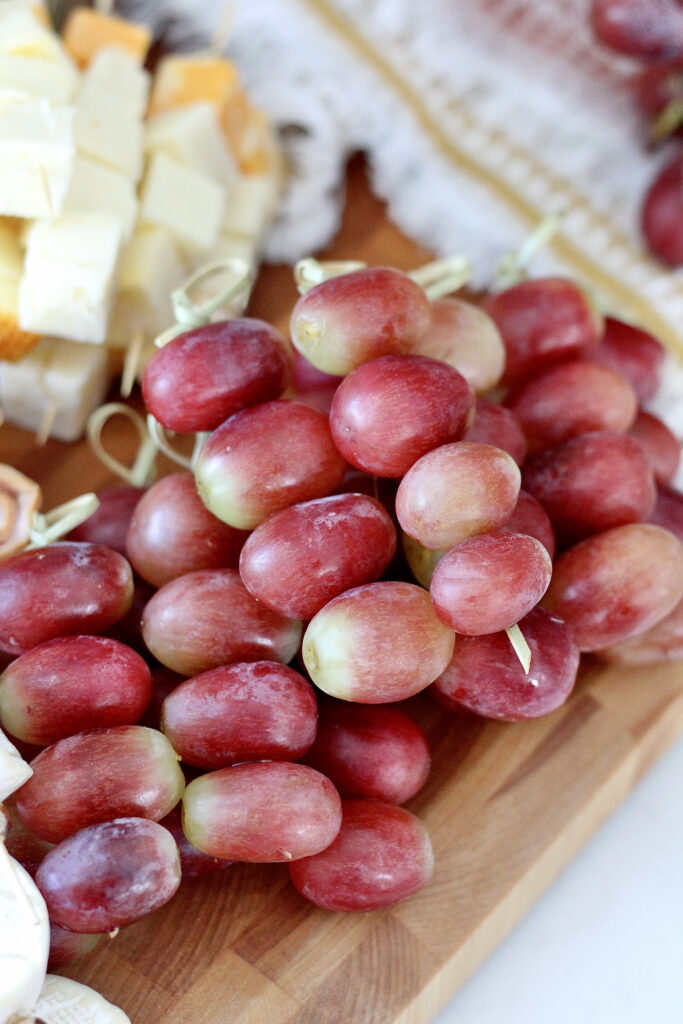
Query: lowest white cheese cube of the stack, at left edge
x=60, y=382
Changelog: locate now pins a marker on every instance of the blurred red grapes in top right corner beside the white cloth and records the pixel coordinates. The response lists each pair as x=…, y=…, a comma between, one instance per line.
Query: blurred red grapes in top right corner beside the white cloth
x=652, y=31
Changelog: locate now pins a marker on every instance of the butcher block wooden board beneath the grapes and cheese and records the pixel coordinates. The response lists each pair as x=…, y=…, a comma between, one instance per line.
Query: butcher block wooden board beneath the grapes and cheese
x=507, y=807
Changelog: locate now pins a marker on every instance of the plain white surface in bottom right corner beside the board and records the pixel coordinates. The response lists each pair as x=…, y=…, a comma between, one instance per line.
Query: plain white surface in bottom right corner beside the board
x=605, y=946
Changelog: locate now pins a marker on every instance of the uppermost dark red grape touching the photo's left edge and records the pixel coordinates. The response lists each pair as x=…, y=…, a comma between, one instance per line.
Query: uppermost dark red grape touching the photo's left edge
x=63, y=589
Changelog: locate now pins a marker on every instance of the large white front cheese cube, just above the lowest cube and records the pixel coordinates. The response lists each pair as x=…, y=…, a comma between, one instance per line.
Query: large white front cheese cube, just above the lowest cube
x=70, y=276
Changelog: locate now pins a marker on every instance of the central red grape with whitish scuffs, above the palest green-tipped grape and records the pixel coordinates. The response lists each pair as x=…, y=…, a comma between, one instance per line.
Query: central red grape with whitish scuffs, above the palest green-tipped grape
x=304, y=557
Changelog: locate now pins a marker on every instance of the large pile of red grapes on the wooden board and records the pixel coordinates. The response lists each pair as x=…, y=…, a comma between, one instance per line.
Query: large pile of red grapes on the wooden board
x=337, y=551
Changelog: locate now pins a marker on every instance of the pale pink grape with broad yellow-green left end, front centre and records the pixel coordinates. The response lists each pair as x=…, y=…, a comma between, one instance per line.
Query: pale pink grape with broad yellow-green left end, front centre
x=377, y=644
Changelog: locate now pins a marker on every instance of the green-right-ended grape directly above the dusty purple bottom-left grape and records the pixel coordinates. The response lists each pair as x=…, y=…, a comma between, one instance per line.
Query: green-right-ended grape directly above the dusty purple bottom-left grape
x=99, y=776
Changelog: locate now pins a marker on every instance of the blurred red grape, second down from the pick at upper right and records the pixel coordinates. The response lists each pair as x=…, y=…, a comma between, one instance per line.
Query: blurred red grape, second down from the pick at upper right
x=570, y=400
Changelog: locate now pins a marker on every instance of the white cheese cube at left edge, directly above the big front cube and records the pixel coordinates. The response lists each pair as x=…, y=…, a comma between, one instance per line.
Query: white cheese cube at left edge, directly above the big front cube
x=36, y=156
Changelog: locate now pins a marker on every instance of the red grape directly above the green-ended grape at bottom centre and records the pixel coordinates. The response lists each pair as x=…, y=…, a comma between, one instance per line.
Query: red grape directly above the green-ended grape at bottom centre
x=258, y=711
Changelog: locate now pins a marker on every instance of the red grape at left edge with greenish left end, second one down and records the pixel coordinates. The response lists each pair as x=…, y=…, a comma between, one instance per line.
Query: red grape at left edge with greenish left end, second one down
x=70, y=685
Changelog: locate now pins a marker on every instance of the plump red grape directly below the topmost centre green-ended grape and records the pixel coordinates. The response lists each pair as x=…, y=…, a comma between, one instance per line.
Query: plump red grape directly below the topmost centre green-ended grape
x=391, y=411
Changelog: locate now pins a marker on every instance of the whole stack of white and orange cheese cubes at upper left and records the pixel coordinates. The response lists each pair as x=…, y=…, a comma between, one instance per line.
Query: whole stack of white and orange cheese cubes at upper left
x=113, y=189
